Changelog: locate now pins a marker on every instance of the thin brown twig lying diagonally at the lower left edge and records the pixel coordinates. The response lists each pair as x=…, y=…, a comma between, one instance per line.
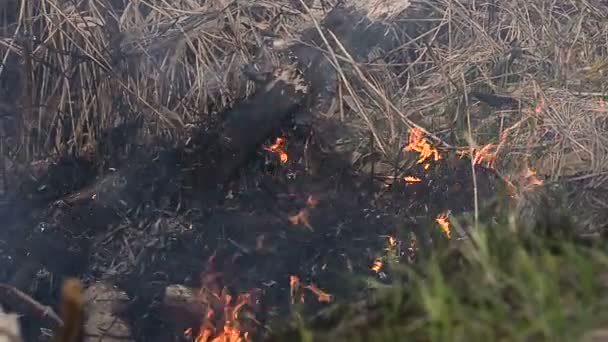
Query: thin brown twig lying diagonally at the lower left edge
x=24, y=303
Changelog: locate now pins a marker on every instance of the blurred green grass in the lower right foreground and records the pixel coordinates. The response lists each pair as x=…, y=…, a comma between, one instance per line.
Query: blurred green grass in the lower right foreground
x=501, y=285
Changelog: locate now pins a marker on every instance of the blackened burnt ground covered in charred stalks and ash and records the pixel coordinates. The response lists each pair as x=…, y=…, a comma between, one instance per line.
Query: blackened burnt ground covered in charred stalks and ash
x=145, y=217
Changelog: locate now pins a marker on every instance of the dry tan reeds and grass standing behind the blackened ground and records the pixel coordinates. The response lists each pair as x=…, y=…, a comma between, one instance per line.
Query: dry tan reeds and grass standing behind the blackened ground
x=88, y=65
